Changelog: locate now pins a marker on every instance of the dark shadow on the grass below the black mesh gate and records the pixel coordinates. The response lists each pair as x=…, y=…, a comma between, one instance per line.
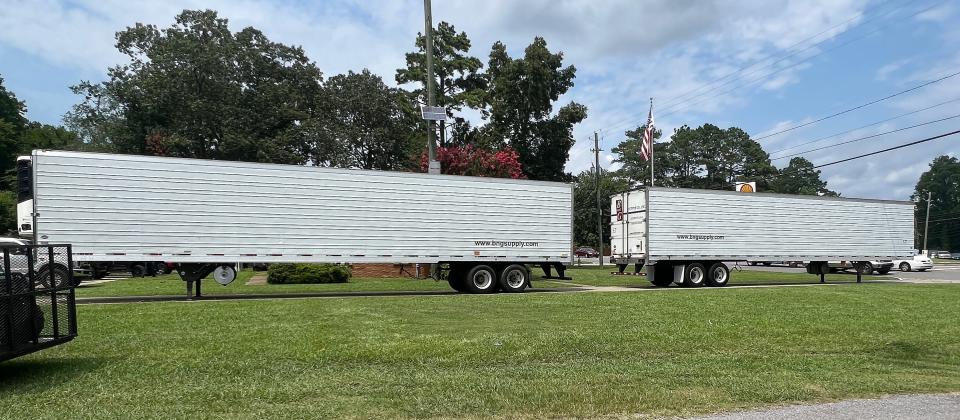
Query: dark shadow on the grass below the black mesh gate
x=25, y=373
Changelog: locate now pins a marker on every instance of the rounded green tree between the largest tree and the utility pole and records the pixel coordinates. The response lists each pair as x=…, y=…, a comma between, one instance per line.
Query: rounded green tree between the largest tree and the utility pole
x=370, y=125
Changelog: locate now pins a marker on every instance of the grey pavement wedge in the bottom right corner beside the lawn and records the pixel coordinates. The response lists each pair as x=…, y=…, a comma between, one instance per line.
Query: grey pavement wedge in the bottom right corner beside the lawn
x=937, y=406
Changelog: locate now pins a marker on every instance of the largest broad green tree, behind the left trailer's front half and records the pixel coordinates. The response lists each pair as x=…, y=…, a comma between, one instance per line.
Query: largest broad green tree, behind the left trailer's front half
x=196, y=89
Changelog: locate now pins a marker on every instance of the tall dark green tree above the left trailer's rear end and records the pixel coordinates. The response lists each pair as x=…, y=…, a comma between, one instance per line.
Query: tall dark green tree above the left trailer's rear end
x=521, y=96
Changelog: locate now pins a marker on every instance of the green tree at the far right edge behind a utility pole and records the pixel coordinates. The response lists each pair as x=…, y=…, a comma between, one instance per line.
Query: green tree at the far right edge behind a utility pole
x=942, y=182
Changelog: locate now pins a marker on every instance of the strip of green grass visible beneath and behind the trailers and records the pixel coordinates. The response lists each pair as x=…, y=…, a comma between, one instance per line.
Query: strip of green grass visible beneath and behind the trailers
x=171, y=284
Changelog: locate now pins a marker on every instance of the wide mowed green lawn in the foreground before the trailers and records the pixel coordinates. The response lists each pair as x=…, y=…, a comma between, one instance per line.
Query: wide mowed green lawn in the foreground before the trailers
x=663, y=353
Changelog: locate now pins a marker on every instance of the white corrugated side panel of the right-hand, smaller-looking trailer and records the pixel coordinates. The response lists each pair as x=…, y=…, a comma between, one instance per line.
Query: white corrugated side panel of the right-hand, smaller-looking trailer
x=721, y=225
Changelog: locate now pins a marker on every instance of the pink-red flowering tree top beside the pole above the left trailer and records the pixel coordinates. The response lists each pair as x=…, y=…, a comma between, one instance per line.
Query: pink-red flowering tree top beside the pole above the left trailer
x=468, y=160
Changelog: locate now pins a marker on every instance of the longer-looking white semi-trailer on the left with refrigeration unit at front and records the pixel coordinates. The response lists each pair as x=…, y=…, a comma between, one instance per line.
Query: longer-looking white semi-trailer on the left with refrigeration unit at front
x=207, y=215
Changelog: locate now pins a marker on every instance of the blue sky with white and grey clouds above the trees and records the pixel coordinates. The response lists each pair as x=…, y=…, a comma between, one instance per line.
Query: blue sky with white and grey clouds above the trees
x=755, y=64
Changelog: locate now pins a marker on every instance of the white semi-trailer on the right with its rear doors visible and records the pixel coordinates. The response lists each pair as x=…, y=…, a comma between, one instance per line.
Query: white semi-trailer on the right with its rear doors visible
x=685, y=236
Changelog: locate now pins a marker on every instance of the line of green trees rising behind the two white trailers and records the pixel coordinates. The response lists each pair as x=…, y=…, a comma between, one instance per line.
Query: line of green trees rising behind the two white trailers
x=197, y=89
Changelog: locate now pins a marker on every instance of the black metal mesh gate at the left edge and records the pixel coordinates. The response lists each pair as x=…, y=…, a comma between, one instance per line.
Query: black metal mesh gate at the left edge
x=37, y=302
